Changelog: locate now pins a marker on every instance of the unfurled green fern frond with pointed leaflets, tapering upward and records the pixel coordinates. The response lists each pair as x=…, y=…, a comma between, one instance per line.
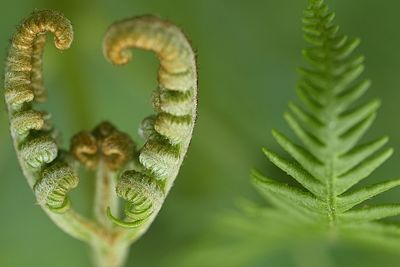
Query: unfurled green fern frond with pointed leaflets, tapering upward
x=329, y=123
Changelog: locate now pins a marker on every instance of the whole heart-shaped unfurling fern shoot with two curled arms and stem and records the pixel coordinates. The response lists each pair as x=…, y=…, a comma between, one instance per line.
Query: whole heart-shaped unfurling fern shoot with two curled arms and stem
x=142, y=177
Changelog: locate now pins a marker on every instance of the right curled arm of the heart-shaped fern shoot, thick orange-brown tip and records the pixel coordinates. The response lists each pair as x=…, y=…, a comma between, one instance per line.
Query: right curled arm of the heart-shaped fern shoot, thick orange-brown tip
x=169, y=131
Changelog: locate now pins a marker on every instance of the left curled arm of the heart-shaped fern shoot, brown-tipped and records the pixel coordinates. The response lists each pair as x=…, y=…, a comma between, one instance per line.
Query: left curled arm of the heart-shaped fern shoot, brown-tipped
x=35, y=145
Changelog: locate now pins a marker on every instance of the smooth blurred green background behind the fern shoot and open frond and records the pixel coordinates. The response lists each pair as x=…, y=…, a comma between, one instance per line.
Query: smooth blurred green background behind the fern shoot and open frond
x=247, y=55
